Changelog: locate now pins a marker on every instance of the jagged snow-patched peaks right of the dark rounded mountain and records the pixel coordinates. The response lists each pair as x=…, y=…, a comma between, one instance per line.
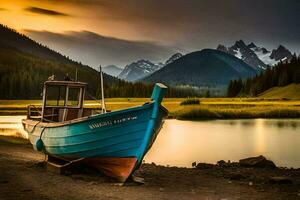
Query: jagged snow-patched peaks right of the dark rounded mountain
x=257, y=57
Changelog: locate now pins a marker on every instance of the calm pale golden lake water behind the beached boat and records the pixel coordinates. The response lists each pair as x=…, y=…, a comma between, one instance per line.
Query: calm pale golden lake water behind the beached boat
x=182, y=142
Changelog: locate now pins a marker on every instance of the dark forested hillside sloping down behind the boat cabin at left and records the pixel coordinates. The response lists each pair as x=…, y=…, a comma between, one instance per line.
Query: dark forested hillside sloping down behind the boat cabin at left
x=25, y=65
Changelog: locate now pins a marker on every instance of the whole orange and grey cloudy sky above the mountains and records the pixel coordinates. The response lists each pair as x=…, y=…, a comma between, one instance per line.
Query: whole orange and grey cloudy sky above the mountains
x=122, y=31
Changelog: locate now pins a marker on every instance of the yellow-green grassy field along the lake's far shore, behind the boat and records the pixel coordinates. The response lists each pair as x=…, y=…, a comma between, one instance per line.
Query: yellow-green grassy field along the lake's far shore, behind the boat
x=209, y=108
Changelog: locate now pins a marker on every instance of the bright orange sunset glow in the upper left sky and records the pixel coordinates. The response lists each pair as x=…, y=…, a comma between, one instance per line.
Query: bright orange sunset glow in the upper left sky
x=76, y=18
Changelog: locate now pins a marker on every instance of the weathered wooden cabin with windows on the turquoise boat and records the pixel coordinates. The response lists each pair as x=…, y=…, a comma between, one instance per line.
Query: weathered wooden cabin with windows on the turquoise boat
x=62, y=101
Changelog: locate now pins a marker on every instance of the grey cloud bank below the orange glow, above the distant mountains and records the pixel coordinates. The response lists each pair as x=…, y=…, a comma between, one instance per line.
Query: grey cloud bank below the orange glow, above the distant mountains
x=94, y=49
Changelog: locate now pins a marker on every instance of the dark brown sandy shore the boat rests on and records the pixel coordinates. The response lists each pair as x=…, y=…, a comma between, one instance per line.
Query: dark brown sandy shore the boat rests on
x=23, y=176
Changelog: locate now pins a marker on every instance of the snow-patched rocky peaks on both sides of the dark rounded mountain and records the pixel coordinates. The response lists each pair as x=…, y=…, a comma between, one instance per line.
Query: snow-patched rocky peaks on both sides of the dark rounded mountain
x=259, y=58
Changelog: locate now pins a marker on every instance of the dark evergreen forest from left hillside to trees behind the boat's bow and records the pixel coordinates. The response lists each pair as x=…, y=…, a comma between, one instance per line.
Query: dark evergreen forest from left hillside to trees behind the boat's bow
x=25, y=65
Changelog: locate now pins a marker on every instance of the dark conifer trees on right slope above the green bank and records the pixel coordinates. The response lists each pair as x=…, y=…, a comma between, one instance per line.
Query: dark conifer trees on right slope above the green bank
x=284, y=73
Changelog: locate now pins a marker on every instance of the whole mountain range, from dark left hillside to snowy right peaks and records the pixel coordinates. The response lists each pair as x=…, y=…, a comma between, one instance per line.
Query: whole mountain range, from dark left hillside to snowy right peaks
x=25, y=64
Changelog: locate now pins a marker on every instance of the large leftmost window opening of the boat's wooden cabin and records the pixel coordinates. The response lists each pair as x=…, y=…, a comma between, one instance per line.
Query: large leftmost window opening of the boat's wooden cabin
x=55, y=96
